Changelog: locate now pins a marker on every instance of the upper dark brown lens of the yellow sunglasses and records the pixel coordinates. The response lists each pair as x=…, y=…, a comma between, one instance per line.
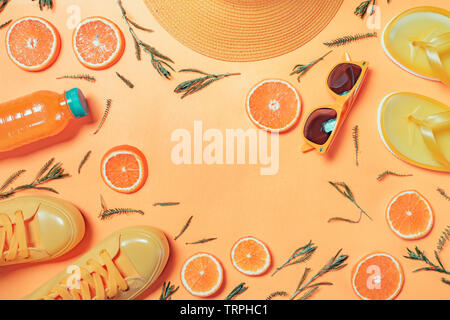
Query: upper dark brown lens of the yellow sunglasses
x=343, y=78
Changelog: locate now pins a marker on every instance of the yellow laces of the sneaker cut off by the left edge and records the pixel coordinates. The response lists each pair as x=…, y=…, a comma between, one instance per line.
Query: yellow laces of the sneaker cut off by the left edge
x=13, y=241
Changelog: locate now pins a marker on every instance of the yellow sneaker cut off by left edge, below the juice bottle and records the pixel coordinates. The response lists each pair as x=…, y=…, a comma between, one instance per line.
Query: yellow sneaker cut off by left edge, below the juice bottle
x=36, y=228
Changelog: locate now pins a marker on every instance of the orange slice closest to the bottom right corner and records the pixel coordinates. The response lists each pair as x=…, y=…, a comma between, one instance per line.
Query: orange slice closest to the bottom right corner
x=378, y=276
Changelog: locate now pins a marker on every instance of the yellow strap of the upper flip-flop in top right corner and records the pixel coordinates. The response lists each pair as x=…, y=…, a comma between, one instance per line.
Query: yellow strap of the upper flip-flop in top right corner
x=434, y=49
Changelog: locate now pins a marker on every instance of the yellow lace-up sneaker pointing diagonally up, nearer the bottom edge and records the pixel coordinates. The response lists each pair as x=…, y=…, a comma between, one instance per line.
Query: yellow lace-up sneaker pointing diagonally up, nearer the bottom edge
x=120, y=267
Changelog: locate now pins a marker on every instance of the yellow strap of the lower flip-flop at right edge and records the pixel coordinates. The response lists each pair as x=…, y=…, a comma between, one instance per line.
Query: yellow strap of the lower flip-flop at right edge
x=429, y=128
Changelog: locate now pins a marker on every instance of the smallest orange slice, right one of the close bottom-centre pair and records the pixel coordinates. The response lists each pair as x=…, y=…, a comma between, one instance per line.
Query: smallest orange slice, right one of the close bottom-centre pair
x=250, y=256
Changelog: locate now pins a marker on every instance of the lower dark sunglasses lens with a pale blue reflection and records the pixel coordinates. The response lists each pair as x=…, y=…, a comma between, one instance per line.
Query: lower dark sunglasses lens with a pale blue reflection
x=320, y=125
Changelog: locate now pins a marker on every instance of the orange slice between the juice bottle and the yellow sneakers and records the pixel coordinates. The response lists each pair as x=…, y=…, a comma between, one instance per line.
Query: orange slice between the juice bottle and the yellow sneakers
x=124, y=169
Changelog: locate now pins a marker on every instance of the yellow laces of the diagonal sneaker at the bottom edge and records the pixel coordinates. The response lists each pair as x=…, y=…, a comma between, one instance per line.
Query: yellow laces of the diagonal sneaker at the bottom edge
x=99, y=283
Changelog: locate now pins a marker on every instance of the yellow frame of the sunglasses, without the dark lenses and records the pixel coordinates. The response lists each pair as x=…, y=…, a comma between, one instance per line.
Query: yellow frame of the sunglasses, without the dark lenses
x=342, y=106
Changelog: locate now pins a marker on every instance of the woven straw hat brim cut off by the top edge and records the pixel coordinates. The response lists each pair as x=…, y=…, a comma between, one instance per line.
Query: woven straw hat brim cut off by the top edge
x=244, y=30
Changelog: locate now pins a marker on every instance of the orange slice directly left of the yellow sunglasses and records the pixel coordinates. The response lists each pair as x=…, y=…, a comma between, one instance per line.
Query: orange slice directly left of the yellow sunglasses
x=274, y=105
